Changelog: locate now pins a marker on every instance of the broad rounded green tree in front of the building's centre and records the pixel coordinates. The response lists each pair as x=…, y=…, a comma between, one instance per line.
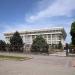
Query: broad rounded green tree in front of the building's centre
x=39, y=45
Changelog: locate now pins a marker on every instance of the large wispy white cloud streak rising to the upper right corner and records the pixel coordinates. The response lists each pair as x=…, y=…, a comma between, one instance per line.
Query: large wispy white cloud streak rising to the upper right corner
x=58, y=8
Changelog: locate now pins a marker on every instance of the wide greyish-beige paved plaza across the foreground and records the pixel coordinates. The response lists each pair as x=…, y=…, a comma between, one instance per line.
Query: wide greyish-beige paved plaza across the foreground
x=39, y=65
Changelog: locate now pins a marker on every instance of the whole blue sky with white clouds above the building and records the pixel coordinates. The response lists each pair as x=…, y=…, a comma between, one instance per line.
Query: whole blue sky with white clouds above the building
x=22, y=15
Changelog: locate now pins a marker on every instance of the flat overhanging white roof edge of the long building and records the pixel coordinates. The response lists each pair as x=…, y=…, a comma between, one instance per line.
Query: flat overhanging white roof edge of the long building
x=38, y=31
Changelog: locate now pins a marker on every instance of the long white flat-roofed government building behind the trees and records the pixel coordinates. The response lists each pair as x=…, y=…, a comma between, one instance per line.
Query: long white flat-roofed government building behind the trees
x=51, y=35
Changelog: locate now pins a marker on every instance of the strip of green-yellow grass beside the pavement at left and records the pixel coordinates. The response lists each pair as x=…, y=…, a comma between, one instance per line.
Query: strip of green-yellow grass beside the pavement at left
x=20, y=58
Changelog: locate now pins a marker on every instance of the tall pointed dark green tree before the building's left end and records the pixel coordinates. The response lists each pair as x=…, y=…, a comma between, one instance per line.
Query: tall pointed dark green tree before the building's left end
x=16, y=42
